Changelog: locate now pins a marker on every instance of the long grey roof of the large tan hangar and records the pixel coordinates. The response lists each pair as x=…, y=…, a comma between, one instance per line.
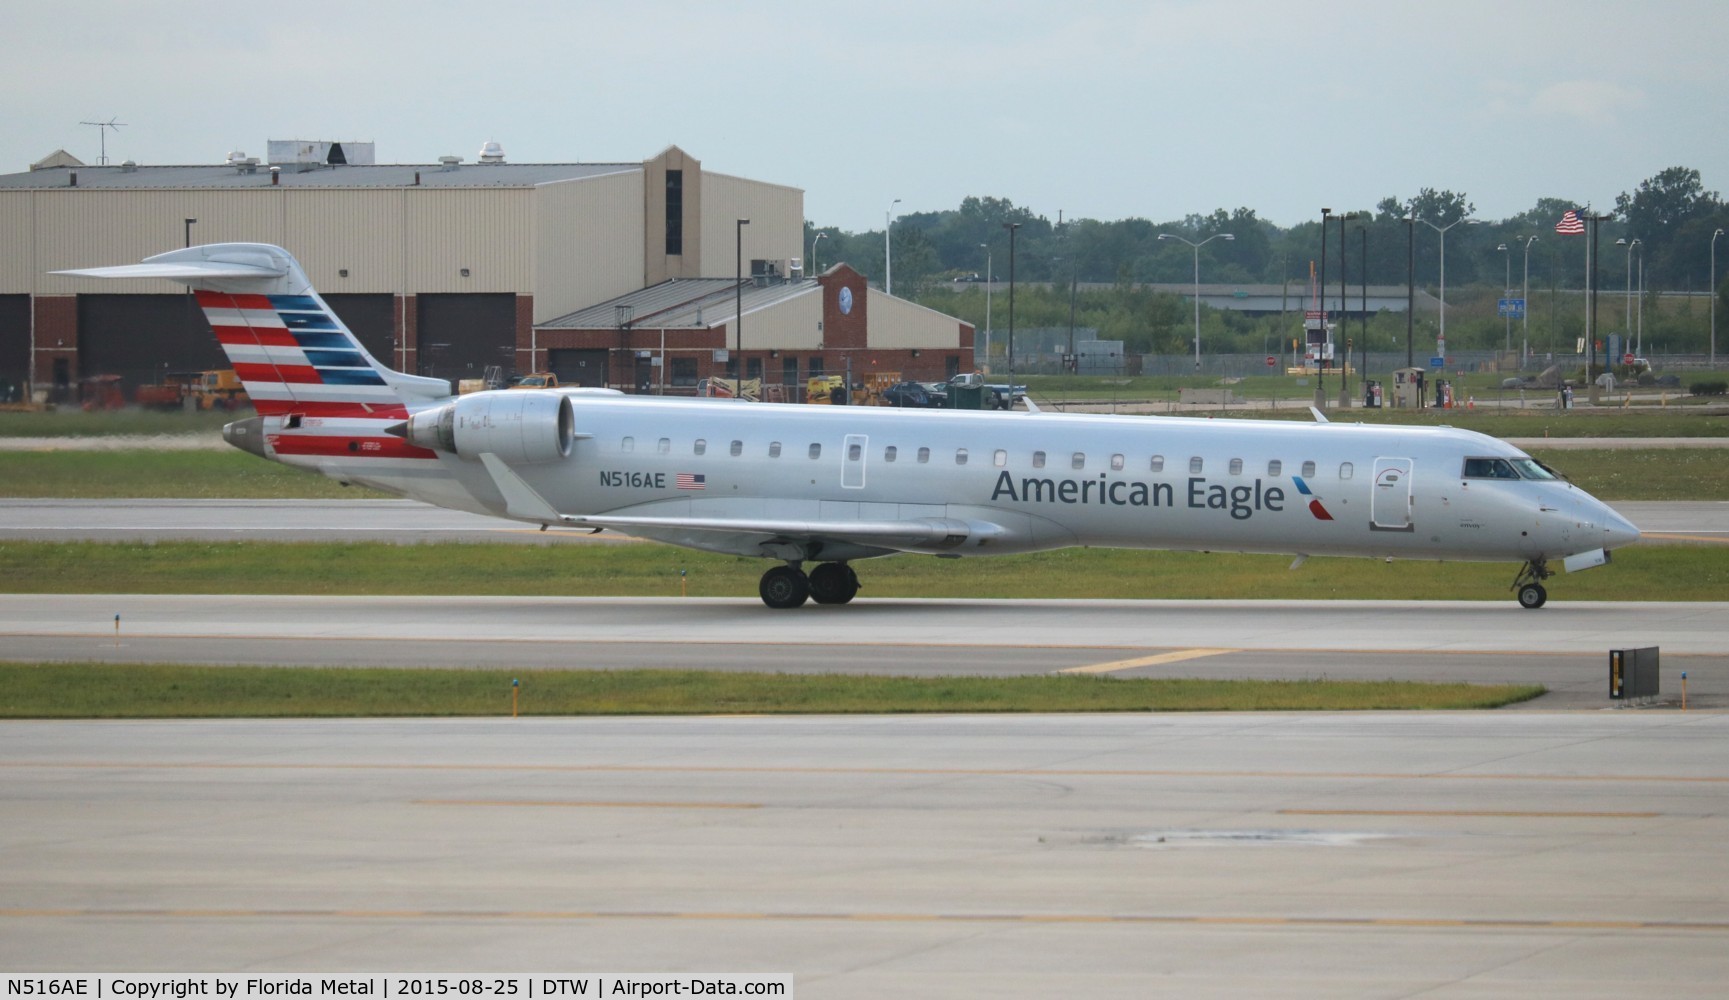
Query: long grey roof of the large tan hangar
x=227, y=177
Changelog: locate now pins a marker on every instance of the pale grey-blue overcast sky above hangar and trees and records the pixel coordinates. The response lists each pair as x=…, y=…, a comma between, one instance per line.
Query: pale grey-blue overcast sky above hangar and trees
x=1102, y=110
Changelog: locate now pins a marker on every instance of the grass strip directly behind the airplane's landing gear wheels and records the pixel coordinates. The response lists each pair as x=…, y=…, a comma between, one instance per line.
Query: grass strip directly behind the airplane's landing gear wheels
x=580, y=570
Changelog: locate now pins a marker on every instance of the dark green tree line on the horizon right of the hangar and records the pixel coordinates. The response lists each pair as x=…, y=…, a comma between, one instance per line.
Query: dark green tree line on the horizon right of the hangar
x=1671, y=215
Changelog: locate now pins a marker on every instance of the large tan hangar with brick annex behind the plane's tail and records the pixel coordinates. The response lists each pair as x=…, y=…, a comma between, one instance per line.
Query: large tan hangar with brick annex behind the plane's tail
x=642, y=276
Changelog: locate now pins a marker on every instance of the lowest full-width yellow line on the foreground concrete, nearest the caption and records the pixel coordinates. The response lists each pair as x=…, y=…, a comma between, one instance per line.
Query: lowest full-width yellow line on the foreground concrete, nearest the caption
x=810, y=918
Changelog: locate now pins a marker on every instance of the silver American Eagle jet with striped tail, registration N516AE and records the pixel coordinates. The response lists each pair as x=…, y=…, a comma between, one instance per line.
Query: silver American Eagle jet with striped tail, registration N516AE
x=838, y=485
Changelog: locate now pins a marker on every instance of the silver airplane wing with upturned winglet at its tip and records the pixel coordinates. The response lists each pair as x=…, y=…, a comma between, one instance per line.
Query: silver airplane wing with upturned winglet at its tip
x=916, y=534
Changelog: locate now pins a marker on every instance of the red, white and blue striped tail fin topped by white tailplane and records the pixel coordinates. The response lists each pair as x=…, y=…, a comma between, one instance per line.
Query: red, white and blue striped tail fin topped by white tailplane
x=288, y=347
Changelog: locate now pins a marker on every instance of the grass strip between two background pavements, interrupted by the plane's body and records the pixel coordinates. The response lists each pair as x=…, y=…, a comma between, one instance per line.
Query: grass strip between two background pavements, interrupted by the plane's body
x=1609, y=475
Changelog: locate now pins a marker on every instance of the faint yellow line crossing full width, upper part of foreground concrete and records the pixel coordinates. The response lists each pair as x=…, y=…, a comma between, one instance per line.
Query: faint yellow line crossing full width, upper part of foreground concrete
x=841, y=771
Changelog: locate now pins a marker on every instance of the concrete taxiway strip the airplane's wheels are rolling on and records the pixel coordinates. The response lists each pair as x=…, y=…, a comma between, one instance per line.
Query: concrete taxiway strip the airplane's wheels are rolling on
x=1564, y=646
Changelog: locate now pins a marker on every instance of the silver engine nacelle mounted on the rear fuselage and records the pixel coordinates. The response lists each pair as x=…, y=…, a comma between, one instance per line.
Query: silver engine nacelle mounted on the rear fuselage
x=516, y=425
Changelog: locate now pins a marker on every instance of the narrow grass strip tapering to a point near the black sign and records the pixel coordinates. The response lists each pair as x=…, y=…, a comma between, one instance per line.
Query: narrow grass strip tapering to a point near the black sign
x=165, y=691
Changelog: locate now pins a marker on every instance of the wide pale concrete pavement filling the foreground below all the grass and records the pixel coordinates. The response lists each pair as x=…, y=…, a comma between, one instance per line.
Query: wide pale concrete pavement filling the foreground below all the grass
x=1211, y=856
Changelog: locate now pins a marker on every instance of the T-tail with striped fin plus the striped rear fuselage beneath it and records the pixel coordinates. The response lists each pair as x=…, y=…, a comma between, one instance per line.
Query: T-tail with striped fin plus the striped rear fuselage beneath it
x=322, y=401
